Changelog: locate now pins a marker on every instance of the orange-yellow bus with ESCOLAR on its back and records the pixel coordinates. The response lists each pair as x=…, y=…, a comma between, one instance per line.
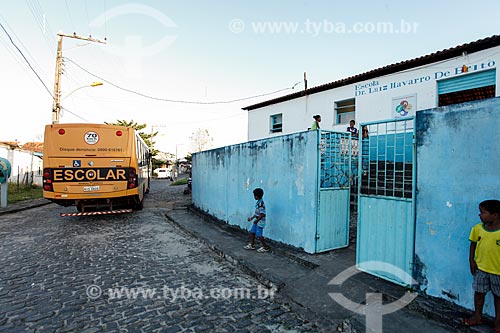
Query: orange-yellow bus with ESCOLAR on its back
x=95, y=167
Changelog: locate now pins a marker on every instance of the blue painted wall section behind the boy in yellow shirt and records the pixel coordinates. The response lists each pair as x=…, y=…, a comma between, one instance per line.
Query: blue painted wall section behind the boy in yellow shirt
x=458, y=159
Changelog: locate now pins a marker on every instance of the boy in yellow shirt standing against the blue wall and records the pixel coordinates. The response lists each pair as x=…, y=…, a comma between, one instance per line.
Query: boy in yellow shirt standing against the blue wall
x=484, y=260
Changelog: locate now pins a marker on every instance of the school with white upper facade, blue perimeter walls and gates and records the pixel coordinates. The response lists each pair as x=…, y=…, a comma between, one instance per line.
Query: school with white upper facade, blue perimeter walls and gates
x=418, y=176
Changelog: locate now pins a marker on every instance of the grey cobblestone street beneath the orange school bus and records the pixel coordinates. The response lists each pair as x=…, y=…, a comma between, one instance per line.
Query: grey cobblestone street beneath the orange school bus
x=126, y=273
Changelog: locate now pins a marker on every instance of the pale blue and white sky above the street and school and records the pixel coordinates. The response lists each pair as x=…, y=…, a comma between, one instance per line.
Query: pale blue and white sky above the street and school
x=199, y=52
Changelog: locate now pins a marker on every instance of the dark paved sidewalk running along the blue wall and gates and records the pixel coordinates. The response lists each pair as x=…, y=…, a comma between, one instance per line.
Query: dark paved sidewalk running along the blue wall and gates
x=303, y=279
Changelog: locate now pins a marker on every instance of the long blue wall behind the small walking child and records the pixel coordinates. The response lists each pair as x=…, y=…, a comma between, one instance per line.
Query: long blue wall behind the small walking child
x=285, y=167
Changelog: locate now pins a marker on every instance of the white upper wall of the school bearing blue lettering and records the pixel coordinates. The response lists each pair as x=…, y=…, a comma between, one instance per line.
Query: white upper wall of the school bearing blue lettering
x=371, y=105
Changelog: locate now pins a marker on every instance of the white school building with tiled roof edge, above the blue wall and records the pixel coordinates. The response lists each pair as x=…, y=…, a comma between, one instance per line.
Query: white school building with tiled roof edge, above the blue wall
x=451, y=76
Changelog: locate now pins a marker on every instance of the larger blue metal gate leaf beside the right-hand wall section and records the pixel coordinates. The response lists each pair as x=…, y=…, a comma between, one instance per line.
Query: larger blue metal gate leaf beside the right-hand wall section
x=386, y=199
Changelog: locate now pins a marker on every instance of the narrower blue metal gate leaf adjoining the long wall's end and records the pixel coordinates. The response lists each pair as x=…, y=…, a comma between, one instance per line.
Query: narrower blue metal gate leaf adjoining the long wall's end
x=332, y=226
